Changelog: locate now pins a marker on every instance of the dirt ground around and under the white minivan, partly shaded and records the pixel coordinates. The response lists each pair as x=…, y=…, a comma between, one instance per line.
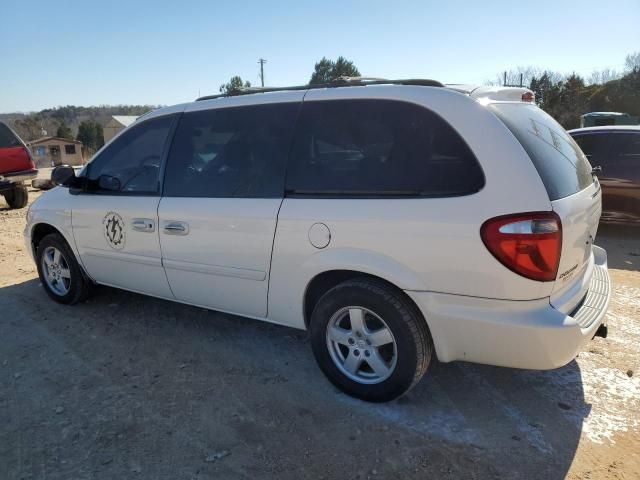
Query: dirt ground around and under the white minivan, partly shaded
x=127, y=386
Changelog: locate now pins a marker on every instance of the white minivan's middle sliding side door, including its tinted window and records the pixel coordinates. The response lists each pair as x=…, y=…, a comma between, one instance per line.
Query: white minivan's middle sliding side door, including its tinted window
x=224, y=185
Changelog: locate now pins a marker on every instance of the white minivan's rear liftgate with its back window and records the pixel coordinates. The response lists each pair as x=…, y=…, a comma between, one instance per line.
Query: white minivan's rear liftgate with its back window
x=574, y=192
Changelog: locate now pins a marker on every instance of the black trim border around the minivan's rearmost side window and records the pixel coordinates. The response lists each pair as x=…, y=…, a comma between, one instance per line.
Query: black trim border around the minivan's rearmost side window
x=348, y=195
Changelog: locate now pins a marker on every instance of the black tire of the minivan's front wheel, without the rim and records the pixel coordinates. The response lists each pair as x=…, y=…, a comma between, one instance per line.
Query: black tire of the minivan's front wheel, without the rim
x=79, y=286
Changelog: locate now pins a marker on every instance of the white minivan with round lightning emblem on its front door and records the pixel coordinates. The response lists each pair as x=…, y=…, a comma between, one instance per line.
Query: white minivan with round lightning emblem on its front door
x=391, y=219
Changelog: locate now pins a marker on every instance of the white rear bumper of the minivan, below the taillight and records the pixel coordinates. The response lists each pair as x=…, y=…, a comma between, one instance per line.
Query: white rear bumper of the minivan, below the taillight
x=518, y=334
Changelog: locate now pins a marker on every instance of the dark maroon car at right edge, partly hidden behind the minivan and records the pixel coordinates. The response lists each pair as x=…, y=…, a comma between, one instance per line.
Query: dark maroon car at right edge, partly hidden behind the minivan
x=615, y=150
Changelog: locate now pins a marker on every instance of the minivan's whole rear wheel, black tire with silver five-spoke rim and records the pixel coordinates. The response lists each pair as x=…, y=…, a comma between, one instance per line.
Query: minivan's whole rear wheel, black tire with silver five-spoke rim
x=369, y=340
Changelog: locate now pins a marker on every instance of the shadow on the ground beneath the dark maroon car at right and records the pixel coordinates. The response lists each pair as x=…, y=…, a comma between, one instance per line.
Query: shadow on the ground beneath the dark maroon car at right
x=622, y=244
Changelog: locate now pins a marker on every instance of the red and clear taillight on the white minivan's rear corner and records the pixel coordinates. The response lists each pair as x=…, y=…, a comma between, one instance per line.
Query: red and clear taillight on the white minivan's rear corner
x=526, y=243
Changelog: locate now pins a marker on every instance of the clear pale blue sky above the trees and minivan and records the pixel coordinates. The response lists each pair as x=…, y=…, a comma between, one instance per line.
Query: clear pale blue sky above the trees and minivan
x=161, y=52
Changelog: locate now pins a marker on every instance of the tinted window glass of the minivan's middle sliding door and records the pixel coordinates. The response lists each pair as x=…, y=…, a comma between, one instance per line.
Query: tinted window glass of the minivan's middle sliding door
x=231, y=152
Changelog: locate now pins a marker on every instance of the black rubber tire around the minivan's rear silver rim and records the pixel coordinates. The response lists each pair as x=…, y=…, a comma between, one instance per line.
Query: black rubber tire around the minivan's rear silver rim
x=413, y=342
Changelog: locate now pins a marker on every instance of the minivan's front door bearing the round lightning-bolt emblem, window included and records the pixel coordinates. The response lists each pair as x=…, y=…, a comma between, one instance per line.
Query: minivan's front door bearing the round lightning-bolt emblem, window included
x=115, y=220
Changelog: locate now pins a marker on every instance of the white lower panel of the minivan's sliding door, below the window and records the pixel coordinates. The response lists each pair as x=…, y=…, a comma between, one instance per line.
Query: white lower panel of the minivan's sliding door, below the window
x=223, y=262
